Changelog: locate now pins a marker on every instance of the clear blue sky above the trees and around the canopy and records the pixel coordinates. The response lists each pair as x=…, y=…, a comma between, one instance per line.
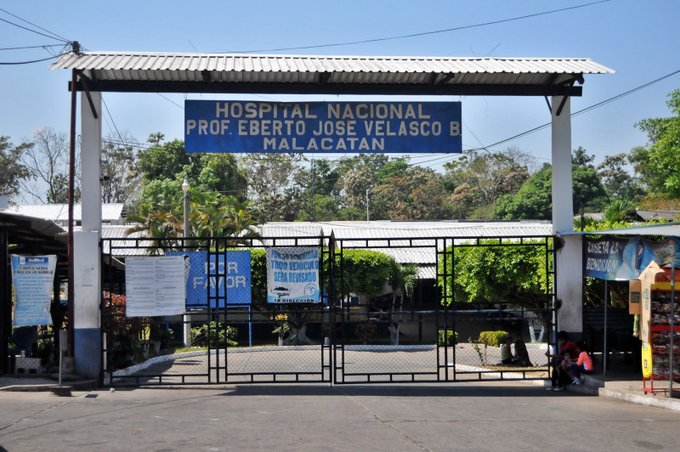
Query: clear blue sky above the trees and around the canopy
x=639, y=40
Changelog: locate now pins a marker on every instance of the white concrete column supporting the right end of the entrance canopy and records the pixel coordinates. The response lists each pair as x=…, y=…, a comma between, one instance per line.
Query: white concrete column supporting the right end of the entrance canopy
x=569, y=280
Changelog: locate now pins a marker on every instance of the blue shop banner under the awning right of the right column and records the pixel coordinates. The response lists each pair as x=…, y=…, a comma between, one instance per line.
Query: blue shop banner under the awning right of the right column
x=616, y=259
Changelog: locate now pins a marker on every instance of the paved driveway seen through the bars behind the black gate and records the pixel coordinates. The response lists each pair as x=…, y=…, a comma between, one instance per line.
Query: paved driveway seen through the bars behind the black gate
x=306, y=363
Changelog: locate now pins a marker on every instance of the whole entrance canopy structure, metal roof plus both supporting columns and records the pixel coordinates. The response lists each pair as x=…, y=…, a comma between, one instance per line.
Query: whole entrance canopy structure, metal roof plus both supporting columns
x=97, y=72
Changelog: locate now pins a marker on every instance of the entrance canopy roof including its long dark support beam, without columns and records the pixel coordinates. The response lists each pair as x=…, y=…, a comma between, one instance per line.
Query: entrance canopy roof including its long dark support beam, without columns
x=308, y=74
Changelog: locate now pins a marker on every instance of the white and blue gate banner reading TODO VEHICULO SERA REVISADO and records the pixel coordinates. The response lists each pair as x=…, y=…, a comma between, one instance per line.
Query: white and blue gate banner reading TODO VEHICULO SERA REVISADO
x=293, y=275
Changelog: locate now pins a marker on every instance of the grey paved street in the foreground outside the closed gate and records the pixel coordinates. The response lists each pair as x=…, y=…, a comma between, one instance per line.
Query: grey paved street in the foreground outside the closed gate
x=489, y=416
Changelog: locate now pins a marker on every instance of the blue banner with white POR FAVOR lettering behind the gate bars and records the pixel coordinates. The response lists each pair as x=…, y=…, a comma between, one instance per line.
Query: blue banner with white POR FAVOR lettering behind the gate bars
x=234, y=276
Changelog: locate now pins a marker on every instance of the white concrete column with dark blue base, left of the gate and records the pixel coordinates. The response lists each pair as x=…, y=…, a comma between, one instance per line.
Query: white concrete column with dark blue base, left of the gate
x=86, y=253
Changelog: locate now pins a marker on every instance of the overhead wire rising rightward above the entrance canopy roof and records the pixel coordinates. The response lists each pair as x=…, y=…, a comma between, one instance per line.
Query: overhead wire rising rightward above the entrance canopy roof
x=424, y=33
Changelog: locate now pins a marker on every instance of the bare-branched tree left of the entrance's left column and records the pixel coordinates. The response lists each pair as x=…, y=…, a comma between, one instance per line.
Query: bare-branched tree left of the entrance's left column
x=47, y=161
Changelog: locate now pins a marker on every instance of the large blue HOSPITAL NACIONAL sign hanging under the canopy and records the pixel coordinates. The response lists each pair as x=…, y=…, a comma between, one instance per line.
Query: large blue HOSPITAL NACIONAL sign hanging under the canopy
x=322, y=127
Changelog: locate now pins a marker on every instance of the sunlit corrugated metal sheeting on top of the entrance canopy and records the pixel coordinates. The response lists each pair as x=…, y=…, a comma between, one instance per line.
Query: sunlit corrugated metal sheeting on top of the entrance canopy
x=196, y=62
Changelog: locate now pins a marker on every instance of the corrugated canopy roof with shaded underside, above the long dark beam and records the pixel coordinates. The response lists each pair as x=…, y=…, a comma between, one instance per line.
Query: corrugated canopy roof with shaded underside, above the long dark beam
x=308, y=69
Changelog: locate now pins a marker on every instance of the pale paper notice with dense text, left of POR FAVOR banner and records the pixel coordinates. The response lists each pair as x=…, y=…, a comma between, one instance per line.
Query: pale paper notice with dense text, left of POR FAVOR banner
x=155, y=286
